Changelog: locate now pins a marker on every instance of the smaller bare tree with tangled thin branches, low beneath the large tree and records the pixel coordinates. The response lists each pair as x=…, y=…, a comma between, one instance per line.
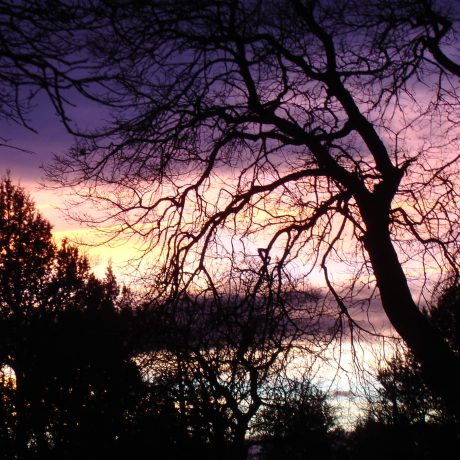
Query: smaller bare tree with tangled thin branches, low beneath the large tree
x=220, y=356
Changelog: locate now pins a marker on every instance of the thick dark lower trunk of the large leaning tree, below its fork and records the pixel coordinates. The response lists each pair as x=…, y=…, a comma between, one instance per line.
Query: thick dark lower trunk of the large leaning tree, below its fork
x=440, y=366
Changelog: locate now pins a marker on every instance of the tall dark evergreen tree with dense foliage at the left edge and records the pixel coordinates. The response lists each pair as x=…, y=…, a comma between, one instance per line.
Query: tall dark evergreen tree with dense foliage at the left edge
x=71, y=381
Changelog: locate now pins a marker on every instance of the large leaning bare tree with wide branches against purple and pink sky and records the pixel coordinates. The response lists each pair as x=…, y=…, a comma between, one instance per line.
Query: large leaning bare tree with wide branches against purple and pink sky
x=294, y=131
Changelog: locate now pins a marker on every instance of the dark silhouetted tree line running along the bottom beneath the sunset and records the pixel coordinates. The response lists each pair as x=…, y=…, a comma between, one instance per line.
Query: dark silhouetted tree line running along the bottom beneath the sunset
x=90, y=369
